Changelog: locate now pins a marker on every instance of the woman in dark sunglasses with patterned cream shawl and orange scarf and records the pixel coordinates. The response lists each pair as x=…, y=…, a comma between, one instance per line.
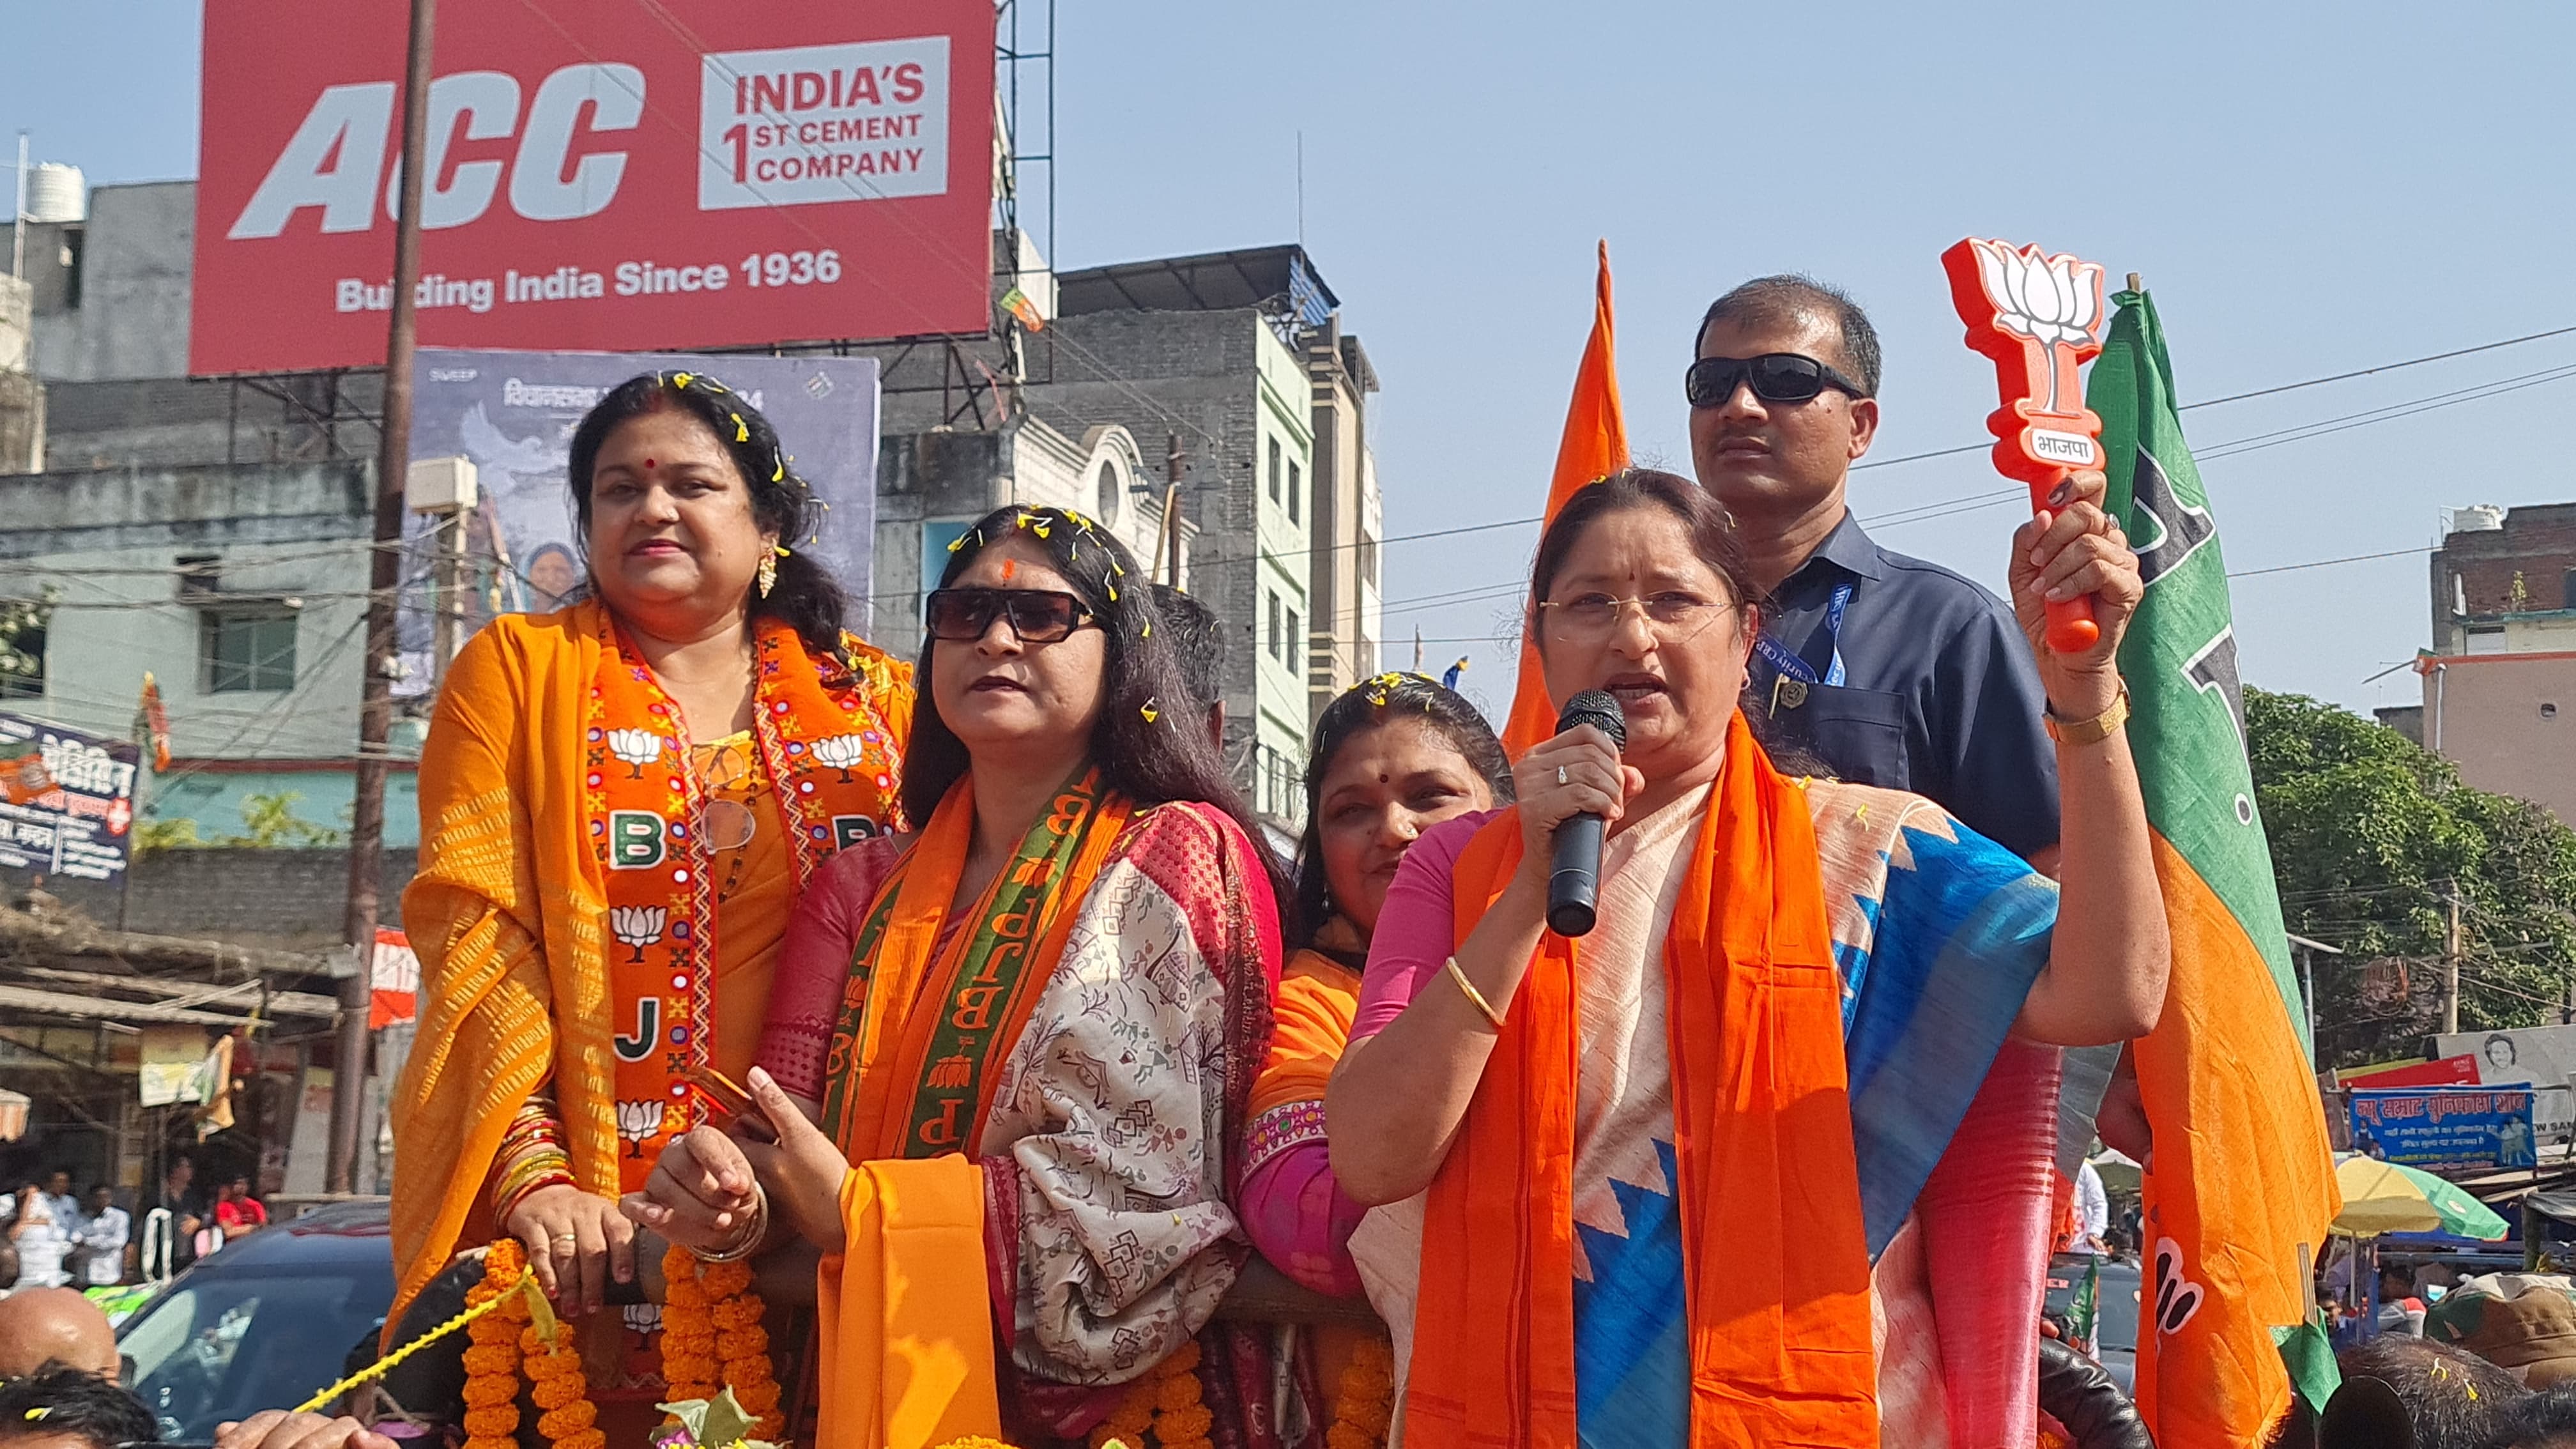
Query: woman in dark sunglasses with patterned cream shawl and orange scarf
x=1027, y=1035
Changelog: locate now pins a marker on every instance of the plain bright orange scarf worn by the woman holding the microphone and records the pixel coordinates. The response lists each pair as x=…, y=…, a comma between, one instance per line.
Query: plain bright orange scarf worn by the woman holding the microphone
x=1776, y=1265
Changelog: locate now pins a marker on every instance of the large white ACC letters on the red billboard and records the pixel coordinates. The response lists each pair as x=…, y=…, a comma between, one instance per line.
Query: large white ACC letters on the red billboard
x=339, y=156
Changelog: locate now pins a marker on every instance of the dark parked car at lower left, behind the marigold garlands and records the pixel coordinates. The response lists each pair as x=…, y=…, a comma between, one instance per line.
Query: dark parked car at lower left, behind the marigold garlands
x=267, y=1321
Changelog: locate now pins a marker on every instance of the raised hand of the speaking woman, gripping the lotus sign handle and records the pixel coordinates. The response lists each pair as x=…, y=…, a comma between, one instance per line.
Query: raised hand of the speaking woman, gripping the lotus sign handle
x=2075, y=550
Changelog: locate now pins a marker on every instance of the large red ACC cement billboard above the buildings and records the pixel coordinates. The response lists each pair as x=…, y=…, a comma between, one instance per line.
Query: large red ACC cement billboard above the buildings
x=601, y=177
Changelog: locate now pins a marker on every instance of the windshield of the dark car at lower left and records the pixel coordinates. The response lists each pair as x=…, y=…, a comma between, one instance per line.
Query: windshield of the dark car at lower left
x=225, y=1347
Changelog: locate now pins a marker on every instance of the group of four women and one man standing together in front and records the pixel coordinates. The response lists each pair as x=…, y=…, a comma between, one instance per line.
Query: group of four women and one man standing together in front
x=967, y=1007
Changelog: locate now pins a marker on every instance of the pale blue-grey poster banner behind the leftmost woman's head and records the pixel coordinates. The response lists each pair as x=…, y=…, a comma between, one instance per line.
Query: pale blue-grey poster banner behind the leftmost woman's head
x=514, y=414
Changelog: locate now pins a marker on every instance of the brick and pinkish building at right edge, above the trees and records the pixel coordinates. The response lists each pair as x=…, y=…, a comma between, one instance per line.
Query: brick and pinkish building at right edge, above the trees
x=2500, y=682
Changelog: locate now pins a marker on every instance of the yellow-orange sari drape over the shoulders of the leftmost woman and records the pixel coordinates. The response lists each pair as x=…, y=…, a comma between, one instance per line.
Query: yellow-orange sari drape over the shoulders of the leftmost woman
x=522, y=958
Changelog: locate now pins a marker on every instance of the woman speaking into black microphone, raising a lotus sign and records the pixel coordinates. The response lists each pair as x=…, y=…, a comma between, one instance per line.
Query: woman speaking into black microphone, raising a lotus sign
x=1668, y=1167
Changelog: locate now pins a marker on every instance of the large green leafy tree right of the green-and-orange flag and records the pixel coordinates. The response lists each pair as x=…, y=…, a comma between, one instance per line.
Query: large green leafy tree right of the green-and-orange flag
x=2371, y=837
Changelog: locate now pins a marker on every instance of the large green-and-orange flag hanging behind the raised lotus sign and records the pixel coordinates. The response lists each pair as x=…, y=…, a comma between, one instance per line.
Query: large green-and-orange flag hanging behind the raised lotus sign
x=2240, y=1185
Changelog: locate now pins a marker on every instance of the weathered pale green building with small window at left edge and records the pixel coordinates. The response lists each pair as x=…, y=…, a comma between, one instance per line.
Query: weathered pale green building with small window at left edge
x=243, y=592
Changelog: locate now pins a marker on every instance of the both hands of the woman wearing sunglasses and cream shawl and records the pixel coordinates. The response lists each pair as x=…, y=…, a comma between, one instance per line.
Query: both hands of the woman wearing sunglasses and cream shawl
x=702, y=1190
